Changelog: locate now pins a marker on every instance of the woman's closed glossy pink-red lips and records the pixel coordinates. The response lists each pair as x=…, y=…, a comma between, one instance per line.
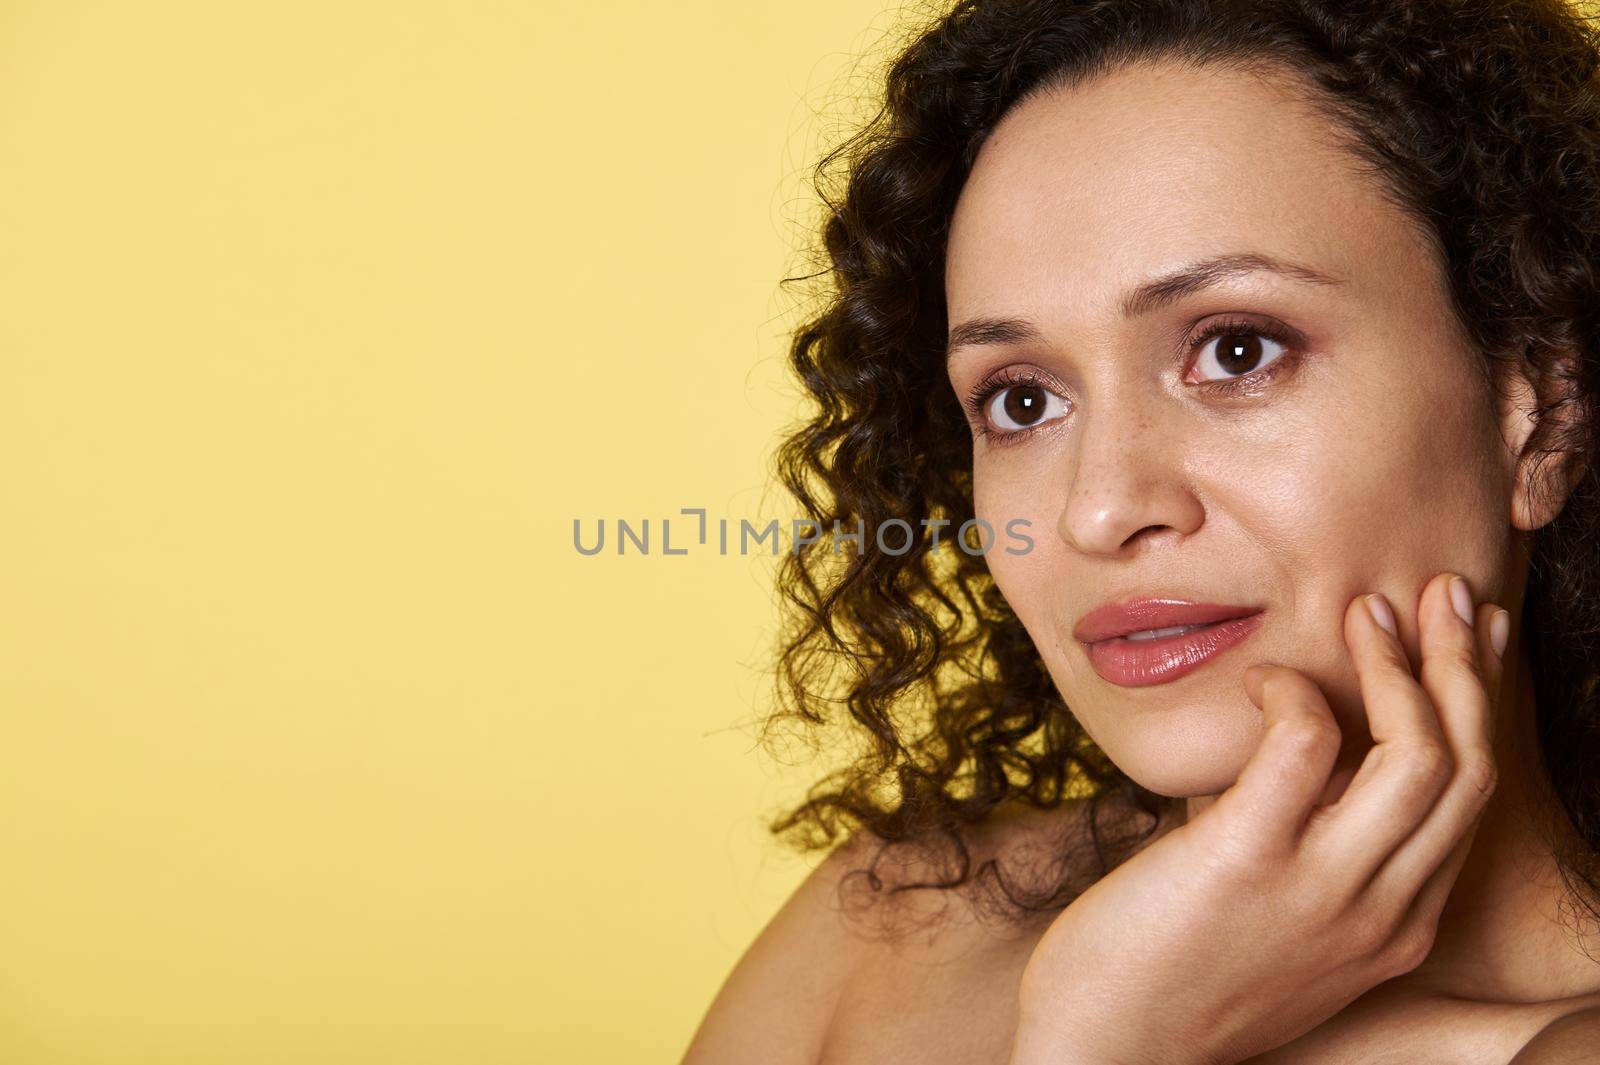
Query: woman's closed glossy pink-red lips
x=1164, y=658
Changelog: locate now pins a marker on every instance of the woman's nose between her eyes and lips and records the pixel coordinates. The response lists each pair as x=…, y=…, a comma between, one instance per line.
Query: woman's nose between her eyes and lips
x=1127, y=485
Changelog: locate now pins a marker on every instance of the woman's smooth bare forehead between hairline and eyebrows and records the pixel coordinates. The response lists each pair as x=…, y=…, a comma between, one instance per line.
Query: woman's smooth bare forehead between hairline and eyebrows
x=1082, y=193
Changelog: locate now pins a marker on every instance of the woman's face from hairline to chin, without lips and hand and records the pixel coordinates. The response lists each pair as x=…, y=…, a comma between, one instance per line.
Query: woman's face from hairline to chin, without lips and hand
x=1359, y=452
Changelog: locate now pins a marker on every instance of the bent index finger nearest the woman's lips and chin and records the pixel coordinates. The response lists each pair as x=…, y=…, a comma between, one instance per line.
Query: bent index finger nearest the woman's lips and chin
x=1290, y=767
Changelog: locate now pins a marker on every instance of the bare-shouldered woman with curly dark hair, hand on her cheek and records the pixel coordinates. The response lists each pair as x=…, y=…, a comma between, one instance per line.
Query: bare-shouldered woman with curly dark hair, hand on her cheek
x=1278, y=329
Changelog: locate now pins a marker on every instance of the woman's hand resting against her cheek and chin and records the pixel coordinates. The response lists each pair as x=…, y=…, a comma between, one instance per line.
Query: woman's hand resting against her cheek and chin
x=1266, y=914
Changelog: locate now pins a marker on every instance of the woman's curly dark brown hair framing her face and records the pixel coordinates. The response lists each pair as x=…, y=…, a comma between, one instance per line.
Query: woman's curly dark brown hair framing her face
x=1479, y=118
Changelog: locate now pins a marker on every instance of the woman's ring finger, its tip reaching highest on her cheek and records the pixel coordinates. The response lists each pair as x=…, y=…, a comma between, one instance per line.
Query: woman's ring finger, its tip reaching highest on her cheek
x=1458, y=684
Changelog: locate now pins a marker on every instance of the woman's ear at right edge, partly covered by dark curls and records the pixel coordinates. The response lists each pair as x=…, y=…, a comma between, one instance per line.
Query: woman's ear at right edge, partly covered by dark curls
x=1545, y=421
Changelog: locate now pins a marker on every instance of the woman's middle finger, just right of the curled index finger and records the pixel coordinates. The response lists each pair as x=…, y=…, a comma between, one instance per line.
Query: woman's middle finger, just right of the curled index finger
x=1402, y=775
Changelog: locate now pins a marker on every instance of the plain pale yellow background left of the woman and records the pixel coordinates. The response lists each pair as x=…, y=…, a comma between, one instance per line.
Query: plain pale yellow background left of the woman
x=321, y=324
